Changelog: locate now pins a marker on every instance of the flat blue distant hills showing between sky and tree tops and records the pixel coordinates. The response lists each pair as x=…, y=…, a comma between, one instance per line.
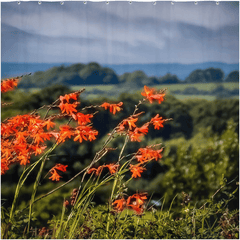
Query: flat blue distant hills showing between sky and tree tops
x=153, y=69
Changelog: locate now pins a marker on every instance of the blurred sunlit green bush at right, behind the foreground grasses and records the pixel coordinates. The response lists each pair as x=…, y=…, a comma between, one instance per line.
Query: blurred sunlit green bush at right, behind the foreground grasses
x=196, y=166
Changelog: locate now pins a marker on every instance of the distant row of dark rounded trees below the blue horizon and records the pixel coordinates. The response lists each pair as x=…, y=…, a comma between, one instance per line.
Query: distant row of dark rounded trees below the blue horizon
x=94, y=74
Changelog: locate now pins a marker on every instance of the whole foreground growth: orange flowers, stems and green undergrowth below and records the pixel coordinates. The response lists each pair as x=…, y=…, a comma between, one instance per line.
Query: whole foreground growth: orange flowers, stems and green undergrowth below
x=79, y=219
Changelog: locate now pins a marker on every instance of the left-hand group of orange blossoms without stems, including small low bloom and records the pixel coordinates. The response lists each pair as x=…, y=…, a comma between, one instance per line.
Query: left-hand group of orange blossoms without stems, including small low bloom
x=25, y=135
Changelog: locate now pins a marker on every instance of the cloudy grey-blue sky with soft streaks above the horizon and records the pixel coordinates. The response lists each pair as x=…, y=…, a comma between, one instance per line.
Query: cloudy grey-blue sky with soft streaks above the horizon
x=120, y=32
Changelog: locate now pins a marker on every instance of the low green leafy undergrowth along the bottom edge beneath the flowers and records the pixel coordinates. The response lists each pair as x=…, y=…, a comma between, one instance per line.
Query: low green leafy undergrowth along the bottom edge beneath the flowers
x=213, y=220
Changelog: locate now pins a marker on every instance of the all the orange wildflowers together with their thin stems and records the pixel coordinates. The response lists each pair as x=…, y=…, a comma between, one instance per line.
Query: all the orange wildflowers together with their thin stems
x=26, y=135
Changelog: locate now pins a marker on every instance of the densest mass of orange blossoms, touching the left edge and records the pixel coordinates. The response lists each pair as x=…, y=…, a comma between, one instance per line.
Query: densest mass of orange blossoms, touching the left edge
x=17, y=134
